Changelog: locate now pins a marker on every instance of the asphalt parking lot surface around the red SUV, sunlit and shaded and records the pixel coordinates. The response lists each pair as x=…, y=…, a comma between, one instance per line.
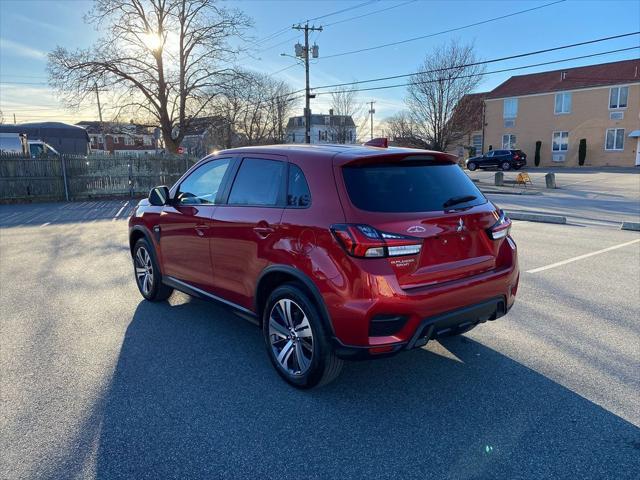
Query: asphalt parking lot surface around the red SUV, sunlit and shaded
x=97, y=383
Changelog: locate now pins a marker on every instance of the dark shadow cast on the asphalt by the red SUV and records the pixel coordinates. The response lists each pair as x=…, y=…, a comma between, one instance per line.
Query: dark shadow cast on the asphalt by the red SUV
x=194, y=396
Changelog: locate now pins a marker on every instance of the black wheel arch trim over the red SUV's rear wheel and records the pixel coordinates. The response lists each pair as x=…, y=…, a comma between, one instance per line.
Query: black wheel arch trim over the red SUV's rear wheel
x=276, y=275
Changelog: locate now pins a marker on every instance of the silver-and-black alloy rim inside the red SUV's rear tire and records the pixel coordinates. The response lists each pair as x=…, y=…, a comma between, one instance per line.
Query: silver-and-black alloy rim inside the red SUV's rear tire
x=290, y=336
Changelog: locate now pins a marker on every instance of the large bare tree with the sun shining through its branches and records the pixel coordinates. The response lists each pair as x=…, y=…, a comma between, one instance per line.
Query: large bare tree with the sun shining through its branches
x=169, y=58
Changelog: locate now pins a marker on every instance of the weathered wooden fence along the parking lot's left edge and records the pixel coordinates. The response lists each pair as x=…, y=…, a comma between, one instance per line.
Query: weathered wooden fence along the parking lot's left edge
x=76, y=177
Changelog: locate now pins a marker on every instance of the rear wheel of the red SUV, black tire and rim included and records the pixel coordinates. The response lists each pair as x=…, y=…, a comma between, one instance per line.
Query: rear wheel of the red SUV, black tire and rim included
x=323, y=366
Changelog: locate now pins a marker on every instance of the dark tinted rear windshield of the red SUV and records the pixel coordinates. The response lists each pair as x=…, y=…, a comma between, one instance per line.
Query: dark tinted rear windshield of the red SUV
x=415, y=187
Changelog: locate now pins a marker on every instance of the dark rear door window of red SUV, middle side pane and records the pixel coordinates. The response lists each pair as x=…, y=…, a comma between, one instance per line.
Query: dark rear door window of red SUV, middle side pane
x=259, y=182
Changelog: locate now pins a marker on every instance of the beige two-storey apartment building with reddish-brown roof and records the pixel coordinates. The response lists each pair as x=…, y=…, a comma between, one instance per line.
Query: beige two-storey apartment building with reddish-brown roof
x=600, y=103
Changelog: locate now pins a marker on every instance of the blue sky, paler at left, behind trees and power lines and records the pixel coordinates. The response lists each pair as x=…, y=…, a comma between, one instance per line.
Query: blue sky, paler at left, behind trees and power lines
x=31, y=28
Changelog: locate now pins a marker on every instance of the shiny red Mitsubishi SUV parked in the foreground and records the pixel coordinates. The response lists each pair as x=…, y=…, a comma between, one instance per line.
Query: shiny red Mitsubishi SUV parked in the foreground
x=338, y=252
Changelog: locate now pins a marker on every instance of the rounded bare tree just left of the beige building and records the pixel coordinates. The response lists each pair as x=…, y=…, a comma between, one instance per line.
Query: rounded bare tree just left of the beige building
x=444, y=78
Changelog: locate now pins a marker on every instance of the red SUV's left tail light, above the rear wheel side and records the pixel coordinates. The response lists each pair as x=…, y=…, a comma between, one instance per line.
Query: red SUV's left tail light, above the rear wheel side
x=364, y=241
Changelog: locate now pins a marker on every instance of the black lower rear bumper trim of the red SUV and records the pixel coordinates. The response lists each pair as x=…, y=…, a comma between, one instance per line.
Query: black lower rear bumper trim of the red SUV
x=431, y=328
